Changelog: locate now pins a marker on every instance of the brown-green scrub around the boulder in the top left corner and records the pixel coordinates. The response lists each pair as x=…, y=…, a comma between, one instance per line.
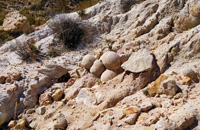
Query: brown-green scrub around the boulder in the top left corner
x=39, y=11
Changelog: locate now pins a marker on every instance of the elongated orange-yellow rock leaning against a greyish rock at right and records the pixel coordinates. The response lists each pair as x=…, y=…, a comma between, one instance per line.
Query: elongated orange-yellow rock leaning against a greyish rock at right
x=153, y=89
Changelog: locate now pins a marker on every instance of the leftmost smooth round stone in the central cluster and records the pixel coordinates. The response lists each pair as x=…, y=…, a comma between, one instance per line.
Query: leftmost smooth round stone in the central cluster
x=88, y=61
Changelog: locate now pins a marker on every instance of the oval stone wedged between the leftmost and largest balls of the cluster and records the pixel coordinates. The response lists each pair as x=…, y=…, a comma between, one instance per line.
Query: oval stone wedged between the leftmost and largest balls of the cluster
x=97, y=68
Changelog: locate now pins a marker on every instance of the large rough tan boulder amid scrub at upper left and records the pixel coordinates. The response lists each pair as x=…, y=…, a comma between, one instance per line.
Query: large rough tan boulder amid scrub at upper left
x=15, y=22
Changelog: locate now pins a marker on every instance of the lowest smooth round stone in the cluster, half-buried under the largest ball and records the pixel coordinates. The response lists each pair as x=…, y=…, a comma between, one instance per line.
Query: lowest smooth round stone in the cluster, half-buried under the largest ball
x=108, y=75
